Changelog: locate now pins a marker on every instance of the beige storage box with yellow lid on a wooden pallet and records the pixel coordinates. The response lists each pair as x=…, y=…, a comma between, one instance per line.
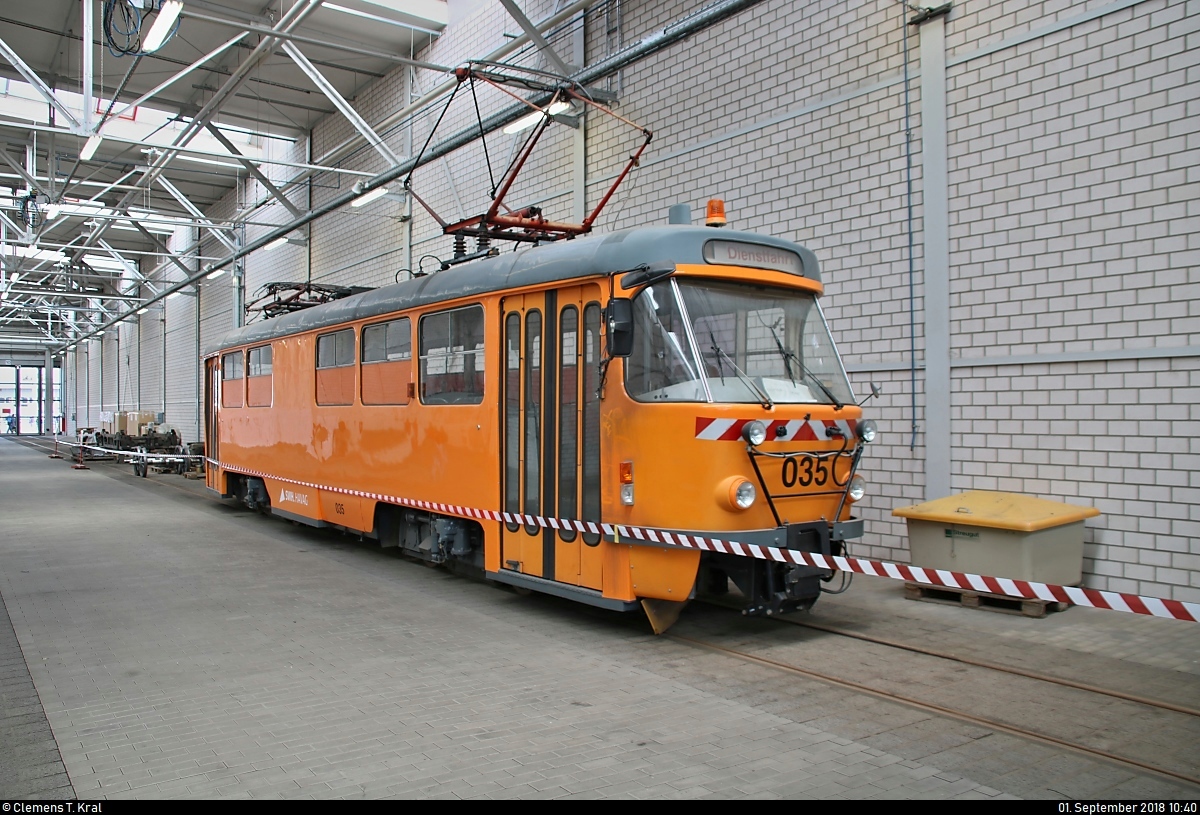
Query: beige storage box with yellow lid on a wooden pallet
x=1001, y=535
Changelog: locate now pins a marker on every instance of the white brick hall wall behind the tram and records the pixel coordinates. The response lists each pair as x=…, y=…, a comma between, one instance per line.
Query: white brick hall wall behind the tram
x=1075, y=172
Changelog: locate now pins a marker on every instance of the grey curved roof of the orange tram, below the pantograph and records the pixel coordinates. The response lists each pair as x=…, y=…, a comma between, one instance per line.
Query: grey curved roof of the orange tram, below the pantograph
x=561, y=261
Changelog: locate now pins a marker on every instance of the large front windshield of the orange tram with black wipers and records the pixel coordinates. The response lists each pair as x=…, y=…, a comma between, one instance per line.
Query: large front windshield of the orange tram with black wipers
x=716, y=341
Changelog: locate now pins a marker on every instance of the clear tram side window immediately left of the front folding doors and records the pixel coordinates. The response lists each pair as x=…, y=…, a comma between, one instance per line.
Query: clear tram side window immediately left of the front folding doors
x=453, y=357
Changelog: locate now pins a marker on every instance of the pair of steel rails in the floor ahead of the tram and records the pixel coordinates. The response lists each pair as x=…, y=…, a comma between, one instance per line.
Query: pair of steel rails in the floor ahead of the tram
x=998, y=726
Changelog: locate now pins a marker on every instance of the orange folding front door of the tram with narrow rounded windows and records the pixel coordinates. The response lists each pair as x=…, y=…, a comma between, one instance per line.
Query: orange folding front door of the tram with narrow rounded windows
x=551, y=418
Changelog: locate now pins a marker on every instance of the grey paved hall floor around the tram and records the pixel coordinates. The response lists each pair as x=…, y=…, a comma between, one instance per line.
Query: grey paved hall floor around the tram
x=182, y=648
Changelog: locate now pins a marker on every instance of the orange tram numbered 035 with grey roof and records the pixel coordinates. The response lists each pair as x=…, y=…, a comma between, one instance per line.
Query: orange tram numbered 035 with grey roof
x=521, y=415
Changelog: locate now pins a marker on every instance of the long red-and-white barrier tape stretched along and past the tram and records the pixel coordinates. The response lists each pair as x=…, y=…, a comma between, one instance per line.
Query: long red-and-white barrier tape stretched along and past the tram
x=1017, y=589
